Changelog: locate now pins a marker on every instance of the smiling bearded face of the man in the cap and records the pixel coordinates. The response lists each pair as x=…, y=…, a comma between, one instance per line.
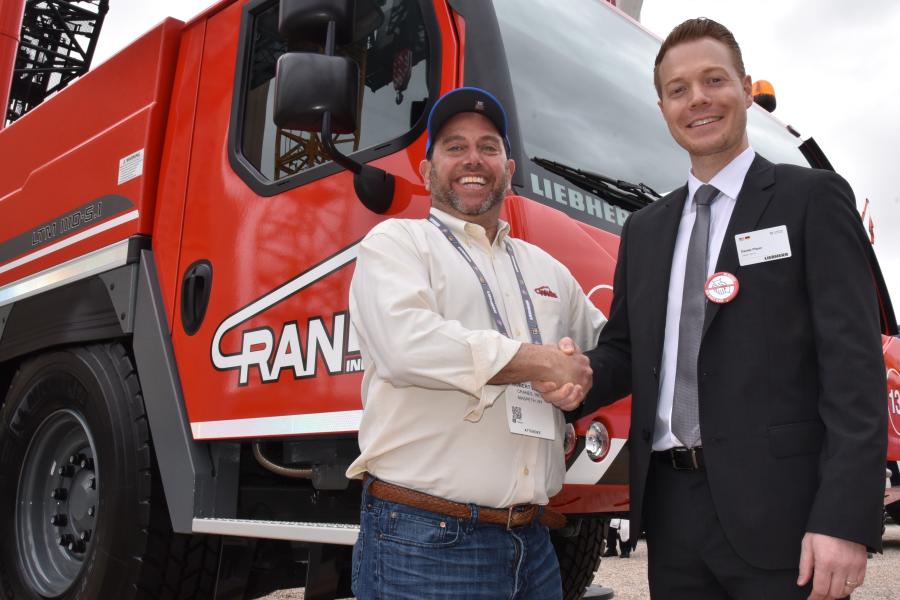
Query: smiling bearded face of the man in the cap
x=469, y=173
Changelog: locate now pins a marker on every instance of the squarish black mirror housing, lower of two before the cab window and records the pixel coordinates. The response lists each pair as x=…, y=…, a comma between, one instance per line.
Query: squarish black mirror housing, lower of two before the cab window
x=309, y=85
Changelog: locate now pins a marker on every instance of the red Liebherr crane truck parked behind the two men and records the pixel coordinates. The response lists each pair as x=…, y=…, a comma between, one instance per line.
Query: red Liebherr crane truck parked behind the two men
x=178, y=237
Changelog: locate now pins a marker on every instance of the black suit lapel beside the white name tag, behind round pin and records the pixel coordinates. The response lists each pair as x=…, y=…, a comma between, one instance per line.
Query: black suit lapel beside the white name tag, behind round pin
x=754, y=197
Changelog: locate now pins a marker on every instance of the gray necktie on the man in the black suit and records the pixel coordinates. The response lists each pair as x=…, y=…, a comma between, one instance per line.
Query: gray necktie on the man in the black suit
x=685, y=405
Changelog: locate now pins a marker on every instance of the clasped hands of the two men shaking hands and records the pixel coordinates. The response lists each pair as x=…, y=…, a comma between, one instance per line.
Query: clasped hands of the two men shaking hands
x=568, y=378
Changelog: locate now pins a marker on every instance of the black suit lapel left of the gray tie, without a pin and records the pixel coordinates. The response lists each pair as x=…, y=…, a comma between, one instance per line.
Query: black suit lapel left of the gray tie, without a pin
x=661, y=232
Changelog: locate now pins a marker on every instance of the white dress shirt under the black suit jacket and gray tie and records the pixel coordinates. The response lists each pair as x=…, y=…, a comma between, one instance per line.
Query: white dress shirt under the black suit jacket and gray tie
x=729, y=182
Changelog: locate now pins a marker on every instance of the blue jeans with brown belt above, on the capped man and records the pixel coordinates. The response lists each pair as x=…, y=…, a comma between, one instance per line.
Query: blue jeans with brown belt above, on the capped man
x=407, y=553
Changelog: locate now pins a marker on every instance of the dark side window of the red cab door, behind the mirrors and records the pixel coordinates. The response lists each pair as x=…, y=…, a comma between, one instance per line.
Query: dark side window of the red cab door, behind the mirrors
x=392, y=51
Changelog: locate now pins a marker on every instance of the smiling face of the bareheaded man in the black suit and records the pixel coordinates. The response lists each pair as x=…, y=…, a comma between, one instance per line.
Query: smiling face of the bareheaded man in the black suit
x=704, y=102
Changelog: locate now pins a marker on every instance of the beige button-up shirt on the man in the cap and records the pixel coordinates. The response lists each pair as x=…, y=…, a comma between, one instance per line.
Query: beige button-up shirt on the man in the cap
x=429, y=346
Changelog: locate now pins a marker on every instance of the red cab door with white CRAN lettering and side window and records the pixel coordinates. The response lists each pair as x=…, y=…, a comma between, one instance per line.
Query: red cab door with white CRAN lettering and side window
x=261, y=330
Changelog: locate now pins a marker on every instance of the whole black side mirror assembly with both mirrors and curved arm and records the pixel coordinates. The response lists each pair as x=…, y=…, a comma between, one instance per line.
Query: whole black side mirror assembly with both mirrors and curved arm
x=320, y=92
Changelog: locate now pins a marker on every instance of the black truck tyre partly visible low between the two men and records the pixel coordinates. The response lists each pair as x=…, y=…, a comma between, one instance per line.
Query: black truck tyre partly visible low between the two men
x=579, y=555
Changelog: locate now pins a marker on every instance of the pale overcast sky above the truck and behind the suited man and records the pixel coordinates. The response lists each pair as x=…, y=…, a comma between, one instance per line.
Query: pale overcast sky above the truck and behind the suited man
x=835, y=66
